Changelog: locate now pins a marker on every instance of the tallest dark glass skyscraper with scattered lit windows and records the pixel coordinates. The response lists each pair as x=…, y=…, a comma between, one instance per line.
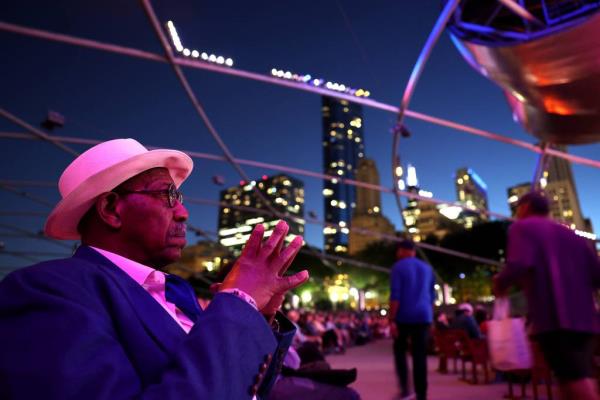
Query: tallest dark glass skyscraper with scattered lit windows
x=343, y=147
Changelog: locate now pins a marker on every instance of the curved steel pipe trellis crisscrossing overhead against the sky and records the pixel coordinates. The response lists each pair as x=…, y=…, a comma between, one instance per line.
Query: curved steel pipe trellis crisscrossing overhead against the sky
x=178, y=62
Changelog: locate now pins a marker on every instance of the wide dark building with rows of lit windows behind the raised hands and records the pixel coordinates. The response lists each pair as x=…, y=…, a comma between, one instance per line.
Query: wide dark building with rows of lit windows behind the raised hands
x=241, y=209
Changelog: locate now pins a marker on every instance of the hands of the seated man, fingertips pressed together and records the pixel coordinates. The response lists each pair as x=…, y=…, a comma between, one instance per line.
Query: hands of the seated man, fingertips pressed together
x=260, y=269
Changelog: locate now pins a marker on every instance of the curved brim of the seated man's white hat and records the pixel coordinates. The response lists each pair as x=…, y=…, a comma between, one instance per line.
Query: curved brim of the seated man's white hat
x=64, y=219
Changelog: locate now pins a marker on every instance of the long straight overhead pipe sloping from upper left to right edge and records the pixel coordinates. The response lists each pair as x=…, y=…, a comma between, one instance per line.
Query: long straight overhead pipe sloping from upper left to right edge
x=132, y=52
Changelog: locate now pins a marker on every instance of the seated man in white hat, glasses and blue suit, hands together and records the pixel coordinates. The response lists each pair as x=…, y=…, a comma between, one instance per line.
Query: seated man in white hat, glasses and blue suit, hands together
x=108, y=324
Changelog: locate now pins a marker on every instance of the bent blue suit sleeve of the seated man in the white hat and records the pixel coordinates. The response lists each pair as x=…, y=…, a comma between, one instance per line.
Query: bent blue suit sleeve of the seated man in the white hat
x=60, y=343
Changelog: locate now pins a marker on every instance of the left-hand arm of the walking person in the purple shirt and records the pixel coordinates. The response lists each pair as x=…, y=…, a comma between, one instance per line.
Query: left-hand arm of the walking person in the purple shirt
x=520, y=258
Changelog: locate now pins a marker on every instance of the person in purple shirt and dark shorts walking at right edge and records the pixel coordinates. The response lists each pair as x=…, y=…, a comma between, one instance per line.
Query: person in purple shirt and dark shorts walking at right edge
x=559, y=272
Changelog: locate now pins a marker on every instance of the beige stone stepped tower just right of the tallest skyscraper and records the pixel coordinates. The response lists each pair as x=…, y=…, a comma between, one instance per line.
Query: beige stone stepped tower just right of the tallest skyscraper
x=368, y=212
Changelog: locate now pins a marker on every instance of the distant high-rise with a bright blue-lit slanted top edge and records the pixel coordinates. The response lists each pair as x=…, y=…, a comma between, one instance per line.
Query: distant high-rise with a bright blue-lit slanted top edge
x=471, y=191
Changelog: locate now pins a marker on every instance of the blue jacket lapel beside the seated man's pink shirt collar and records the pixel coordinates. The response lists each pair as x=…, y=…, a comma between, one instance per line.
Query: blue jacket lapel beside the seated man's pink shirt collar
x=158, y=323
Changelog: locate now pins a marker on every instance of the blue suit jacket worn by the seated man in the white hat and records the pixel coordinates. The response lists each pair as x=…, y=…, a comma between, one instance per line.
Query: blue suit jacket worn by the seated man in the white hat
x=81, y=328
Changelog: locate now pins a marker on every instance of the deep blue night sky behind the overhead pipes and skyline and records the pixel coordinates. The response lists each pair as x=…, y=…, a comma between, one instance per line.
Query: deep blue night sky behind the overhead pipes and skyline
x=371, y=44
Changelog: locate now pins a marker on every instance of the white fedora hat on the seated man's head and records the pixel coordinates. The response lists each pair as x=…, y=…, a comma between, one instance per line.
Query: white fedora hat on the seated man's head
x=101, y=169
